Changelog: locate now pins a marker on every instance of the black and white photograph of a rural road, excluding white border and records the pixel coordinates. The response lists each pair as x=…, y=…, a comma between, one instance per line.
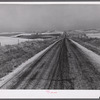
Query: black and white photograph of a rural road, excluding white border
x=50, y=46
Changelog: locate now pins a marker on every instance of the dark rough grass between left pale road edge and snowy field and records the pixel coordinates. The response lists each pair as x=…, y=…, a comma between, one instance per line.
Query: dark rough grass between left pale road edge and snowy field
x=11, y=56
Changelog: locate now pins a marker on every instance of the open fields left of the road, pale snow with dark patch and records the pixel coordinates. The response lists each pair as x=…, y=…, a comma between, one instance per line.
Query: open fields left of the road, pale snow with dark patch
x=11, y=39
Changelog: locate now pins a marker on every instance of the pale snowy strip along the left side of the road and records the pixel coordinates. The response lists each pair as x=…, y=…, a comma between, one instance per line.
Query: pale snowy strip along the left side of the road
x=26, y=64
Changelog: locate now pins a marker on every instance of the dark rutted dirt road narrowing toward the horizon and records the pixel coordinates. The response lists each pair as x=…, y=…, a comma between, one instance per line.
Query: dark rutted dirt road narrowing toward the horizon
x=64, y=66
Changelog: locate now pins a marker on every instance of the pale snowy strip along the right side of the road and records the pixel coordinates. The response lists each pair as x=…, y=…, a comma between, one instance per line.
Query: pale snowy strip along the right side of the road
x=93, y=57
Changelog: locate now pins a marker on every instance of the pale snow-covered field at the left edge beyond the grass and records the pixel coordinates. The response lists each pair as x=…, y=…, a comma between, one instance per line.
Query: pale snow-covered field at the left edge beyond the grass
x=11, y=41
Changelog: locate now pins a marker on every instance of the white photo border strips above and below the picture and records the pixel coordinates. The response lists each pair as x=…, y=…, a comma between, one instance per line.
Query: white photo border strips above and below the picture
x=39, y=94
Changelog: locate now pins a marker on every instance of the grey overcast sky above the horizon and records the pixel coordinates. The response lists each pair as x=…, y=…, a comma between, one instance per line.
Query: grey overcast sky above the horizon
x=48, y=17
